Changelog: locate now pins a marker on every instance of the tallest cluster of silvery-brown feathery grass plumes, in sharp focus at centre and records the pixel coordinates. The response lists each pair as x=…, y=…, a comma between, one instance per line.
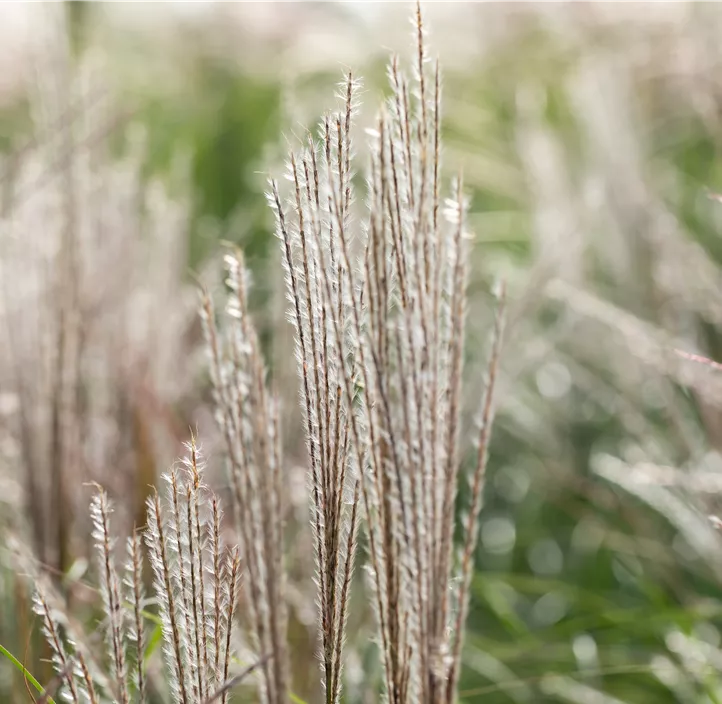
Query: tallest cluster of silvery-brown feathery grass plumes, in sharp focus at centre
x=378, y=307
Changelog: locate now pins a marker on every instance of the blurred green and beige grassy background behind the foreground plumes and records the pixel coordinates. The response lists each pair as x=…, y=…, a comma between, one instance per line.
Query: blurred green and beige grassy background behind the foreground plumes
x=135, y=140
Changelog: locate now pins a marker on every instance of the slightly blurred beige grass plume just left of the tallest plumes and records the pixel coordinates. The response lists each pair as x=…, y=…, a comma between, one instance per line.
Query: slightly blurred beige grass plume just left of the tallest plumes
x=248, y=416
